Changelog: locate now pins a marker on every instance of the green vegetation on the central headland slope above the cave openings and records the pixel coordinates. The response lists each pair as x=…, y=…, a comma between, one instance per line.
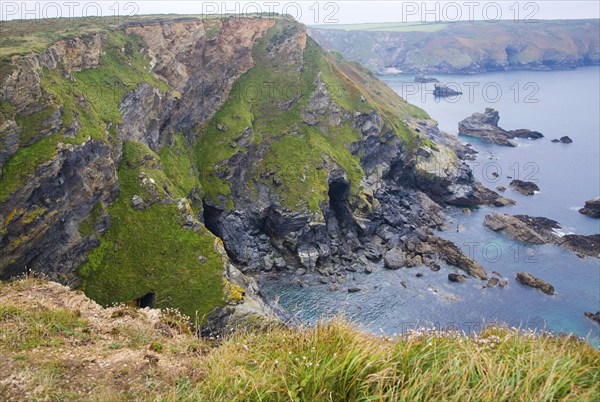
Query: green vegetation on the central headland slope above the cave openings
x=268, y=100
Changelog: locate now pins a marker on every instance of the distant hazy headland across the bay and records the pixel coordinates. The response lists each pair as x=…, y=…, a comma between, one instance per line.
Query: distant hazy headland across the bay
x=470, y=47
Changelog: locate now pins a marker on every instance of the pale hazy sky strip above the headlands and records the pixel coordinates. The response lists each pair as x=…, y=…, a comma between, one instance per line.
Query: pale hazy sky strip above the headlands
x=313, y=12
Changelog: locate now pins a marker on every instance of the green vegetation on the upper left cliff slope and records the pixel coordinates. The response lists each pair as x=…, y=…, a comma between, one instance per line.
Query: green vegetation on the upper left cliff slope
x=94, y=96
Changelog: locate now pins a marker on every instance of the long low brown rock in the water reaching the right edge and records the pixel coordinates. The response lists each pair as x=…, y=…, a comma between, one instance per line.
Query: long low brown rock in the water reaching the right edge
x=539, y=230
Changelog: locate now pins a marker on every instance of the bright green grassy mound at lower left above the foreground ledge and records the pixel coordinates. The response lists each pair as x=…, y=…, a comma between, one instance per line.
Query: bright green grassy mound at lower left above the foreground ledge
x=149, y=251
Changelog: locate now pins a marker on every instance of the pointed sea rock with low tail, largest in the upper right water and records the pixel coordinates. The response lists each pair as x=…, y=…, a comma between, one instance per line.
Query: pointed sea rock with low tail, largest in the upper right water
x=485, y=126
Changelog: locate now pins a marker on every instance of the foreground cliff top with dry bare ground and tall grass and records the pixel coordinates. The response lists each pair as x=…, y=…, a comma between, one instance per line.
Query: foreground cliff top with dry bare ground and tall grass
x=57, y=344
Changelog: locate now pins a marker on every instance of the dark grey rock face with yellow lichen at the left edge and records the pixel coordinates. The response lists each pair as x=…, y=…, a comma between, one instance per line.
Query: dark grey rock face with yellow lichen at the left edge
x=41, y=221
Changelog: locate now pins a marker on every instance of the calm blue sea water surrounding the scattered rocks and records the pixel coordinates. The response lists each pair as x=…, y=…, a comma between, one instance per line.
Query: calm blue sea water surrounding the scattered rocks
x=554, y=103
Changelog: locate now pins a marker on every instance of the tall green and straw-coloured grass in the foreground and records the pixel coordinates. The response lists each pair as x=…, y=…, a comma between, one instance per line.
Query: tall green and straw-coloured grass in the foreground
x=337, y=362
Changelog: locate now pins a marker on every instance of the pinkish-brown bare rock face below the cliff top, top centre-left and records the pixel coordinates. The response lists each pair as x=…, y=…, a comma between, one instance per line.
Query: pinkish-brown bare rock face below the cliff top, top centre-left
x=200, y=67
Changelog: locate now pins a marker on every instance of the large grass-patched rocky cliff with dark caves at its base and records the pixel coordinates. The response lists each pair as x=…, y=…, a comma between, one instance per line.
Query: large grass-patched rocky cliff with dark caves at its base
x=133, y=159
